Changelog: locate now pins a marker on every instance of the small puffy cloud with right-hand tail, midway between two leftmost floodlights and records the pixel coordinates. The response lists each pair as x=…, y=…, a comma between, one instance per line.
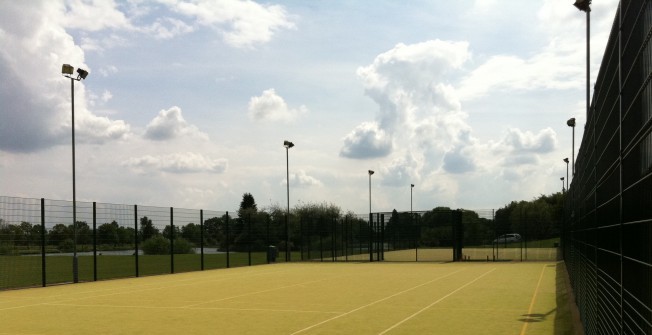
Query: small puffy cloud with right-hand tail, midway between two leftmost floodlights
x=169, y=124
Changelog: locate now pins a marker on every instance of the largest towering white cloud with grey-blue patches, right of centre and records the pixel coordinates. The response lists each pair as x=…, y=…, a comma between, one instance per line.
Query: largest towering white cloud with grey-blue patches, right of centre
x=418, y=107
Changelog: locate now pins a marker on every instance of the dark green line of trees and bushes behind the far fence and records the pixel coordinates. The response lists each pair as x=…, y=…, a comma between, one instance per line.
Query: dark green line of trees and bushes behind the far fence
x=253, y=229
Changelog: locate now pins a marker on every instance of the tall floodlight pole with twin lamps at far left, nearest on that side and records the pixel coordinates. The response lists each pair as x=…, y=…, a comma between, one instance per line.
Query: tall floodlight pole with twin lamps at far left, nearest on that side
x=67, y=71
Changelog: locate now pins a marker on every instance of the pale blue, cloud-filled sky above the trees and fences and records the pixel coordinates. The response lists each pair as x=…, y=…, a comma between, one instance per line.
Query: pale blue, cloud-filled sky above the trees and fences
x=188, y=102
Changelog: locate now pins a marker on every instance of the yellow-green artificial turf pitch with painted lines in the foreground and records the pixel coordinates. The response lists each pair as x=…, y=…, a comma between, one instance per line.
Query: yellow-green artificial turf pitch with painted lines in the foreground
x=305, y=298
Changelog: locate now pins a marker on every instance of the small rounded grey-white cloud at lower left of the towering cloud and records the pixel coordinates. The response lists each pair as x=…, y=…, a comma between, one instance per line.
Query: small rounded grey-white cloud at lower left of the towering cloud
x=366, y=141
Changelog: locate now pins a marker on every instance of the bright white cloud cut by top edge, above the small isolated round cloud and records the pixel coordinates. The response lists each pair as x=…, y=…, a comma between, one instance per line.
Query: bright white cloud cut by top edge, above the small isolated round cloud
x=243, y=24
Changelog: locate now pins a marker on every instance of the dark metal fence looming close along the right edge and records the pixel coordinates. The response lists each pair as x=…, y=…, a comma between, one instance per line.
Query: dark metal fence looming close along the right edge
x=608, y=216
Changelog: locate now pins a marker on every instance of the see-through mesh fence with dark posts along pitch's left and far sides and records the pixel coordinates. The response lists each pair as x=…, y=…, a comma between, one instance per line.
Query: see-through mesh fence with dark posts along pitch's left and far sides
x=40, y=246
